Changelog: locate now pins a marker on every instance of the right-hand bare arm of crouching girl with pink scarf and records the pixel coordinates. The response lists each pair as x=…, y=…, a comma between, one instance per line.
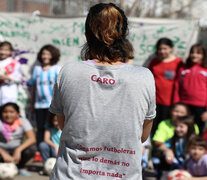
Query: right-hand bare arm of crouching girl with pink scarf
x=30, y=140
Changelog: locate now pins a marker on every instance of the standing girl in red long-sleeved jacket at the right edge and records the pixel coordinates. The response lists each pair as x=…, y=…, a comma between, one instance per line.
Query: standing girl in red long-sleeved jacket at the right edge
x=191, y=84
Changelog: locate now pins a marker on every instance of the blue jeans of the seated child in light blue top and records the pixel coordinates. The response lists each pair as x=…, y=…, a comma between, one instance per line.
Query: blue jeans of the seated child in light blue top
x=46, y=151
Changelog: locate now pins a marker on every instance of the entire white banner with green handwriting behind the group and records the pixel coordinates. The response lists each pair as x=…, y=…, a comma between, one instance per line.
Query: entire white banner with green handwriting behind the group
x=29, y=33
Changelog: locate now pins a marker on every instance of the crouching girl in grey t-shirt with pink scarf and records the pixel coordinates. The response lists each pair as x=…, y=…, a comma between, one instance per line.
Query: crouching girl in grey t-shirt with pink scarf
x=13, y=148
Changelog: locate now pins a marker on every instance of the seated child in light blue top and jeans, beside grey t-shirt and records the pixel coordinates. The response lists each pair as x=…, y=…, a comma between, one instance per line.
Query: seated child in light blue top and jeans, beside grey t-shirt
x=49, y=147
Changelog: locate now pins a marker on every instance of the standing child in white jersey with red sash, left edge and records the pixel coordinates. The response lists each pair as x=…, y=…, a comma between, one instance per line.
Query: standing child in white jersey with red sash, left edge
x=10, y=74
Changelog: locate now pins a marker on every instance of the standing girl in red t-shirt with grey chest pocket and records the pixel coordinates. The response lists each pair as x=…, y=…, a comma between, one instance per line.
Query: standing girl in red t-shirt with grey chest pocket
x=164, y=68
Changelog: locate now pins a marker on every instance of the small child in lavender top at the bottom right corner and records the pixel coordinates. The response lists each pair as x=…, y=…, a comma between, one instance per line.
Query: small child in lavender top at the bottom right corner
x=197, y=164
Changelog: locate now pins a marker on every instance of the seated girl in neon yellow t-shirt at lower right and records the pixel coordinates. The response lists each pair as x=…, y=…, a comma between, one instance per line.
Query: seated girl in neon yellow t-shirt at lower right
x=164, y=132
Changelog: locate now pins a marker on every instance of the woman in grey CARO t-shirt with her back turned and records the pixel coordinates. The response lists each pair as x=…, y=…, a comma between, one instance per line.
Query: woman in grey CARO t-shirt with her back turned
x=104, y=105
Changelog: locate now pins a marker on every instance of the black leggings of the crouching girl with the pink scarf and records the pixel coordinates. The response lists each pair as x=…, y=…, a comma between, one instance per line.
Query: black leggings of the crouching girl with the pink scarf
x=26, y=155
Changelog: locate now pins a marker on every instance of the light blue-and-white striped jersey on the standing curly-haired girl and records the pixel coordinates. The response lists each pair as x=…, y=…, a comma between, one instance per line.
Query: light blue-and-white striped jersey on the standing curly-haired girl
x=43, y=80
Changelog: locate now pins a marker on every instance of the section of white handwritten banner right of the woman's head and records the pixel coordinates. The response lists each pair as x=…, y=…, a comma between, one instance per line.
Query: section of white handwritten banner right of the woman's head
x=144, y=34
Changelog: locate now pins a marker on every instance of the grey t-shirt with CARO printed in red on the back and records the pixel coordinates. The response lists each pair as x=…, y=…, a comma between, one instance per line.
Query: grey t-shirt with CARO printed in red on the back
x=104, y=108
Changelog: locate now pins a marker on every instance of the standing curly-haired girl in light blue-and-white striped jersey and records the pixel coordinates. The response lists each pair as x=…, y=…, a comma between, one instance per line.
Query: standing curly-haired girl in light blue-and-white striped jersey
x=42, y=82
